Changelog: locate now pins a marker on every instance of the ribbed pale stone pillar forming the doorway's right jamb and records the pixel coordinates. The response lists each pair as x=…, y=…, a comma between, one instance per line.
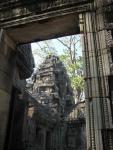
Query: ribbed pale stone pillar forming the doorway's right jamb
x=97, y=69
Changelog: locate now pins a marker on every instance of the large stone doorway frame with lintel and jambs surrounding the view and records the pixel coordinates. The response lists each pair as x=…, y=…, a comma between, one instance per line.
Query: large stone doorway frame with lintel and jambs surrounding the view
x=26, y=21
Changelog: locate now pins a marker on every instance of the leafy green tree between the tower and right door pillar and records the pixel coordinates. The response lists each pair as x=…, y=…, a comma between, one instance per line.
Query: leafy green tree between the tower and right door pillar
x=74, y=64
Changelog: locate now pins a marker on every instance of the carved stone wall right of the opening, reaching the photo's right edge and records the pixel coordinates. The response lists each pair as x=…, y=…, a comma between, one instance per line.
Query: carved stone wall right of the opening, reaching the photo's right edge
x=98, y=67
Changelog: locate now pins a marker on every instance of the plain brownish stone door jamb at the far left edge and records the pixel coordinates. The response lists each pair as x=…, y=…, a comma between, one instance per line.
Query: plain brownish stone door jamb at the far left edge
x=7, y=65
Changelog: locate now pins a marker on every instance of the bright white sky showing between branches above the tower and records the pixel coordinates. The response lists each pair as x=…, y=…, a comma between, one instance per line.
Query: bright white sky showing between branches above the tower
x=52, y=43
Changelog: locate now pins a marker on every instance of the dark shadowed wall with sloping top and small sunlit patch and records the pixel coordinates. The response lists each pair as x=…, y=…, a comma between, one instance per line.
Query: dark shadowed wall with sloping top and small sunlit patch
x=28, y=123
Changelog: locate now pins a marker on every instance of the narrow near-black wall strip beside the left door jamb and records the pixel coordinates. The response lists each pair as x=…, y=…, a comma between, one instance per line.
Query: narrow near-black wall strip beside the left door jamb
x=14, y=137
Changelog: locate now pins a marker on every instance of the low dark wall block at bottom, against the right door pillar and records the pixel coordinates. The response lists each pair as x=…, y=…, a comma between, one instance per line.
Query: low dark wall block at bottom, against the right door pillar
x=76, y=135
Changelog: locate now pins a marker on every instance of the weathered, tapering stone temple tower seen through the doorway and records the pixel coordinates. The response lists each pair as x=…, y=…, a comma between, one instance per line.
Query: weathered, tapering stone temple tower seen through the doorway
x=52, y=87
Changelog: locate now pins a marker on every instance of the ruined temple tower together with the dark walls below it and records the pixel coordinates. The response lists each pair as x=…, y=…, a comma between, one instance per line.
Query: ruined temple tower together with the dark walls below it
x=40, y=115
